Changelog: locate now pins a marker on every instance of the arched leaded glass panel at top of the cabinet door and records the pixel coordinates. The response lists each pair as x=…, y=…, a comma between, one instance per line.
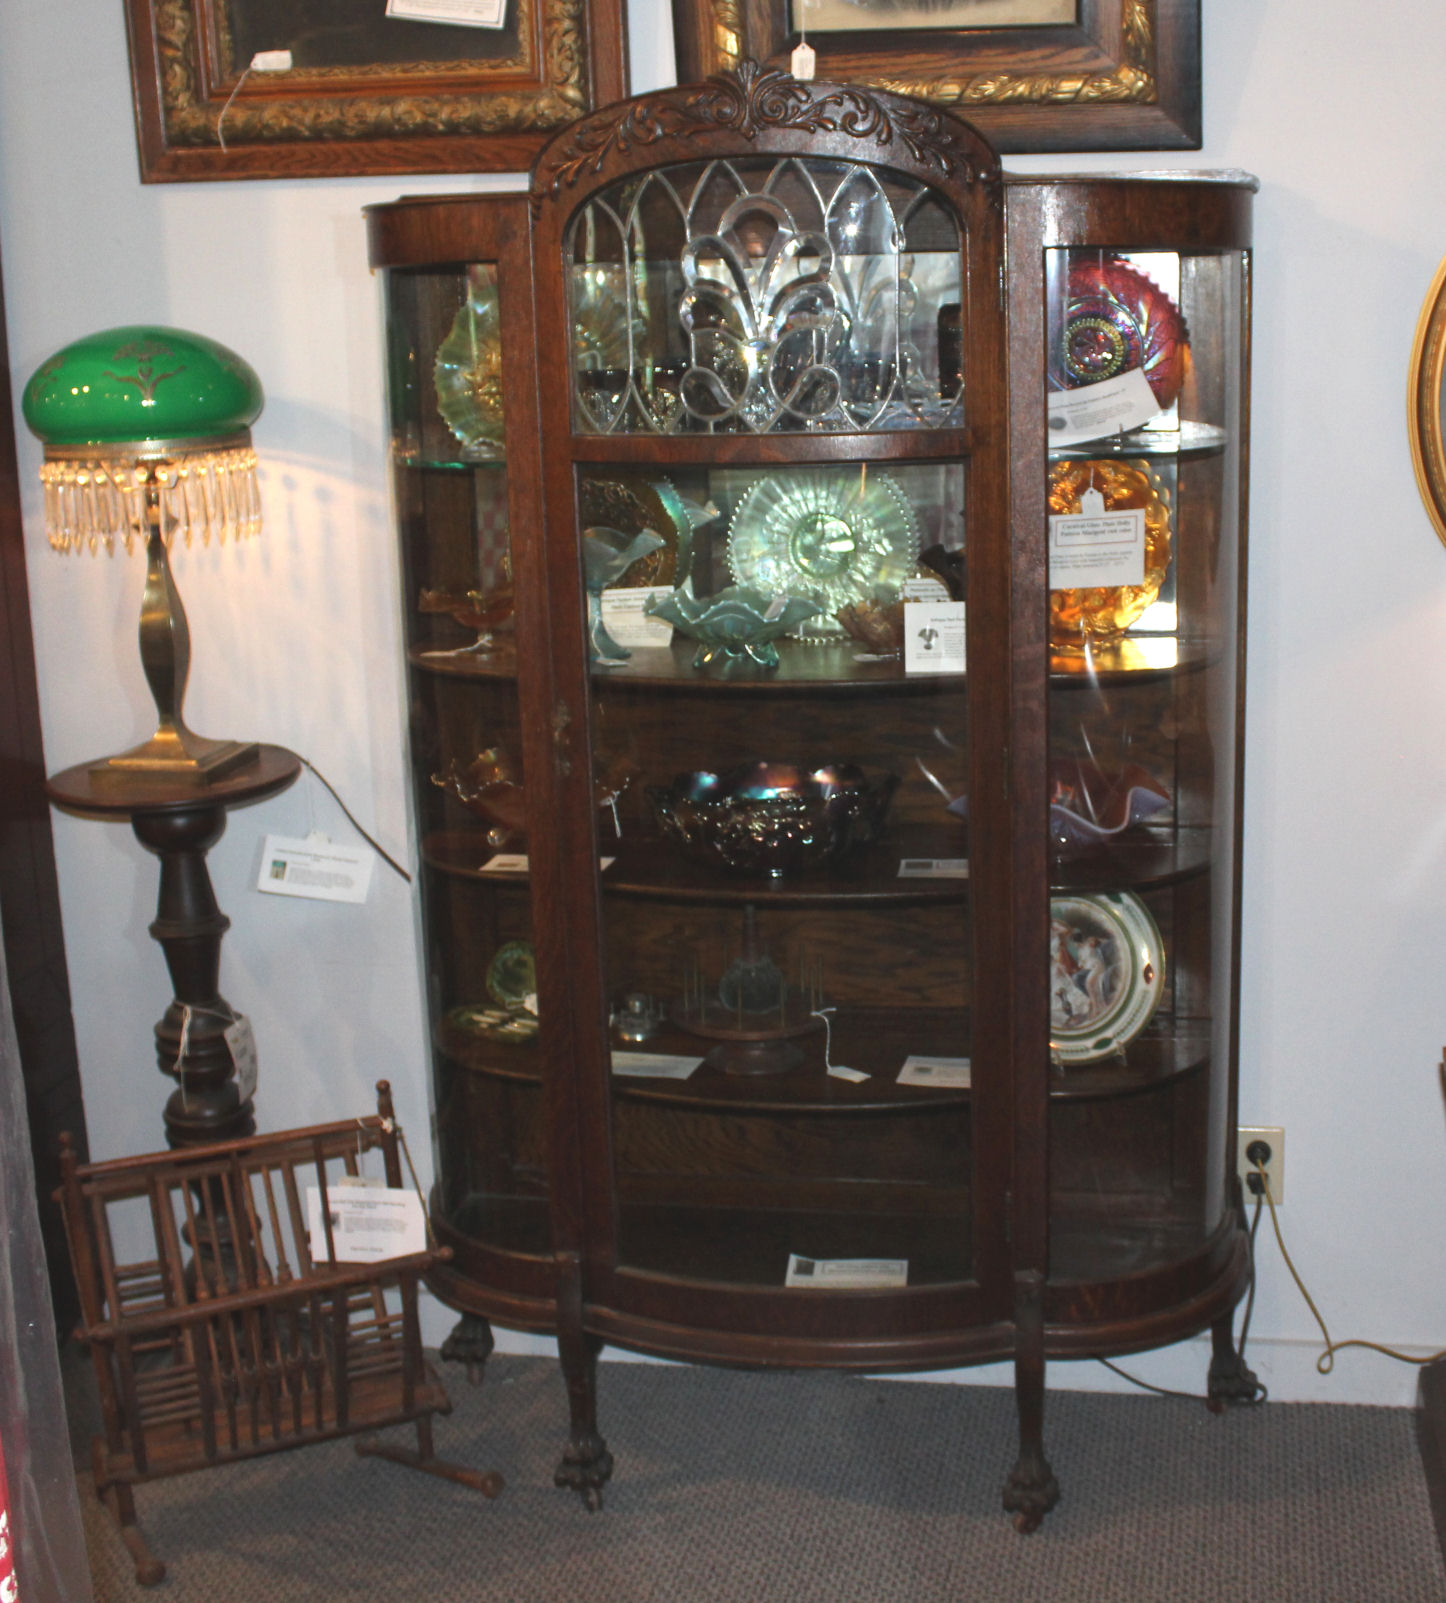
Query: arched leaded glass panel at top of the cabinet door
x=765, y=296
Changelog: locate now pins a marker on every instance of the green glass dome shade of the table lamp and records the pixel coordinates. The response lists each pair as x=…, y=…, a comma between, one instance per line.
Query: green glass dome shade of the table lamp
x=140, y=384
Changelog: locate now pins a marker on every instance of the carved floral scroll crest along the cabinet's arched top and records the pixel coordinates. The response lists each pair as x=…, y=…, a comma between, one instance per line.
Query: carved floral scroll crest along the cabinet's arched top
x=757, y=100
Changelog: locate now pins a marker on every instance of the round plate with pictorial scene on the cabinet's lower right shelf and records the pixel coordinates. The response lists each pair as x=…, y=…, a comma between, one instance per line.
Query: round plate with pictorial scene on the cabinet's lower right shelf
x=1107, y=974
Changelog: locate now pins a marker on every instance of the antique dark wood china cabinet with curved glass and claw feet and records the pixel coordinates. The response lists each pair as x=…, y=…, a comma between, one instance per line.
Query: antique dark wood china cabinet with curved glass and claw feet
x=823, y=570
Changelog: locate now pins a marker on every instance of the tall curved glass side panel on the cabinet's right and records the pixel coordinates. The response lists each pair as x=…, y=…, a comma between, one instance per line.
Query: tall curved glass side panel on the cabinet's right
x=1144, y=506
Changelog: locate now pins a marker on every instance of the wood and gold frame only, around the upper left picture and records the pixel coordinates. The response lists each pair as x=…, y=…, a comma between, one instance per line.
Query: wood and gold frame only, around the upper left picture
x=386, y=118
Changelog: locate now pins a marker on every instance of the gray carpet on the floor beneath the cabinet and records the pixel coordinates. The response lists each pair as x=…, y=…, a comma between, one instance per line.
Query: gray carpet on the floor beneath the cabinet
x=812, y=1488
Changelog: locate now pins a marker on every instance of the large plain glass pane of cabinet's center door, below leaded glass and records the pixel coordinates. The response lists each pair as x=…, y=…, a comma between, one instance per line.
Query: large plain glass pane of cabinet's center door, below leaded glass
x=786, y=915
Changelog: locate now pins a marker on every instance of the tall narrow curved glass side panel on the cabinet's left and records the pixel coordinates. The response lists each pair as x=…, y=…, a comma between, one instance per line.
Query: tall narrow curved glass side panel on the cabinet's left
x=469, y=789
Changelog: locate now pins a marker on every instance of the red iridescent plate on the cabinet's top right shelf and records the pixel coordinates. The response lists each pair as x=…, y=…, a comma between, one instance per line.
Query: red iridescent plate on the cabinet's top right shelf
x=1118, y=320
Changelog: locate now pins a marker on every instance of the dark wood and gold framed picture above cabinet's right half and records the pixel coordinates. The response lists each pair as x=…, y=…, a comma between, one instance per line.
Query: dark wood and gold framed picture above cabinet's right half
x=1030, y=75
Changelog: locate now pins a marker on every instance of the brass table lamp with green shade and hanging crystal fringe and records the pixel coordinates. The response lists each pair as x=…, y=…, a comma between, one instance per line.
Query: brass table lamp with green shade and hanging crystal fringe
x=147, y=435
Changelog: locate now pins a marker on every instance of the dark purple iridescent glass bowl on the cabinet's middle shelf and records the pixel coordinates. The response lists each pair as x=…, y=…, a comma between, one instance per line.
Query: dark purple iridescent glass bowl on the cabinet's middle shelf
x=773, y=818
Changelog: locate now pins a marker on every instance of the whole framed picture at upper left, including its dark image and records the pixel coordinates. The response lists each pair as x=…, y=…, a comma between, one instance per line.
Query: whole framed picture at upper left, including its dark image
x=293, y=89
